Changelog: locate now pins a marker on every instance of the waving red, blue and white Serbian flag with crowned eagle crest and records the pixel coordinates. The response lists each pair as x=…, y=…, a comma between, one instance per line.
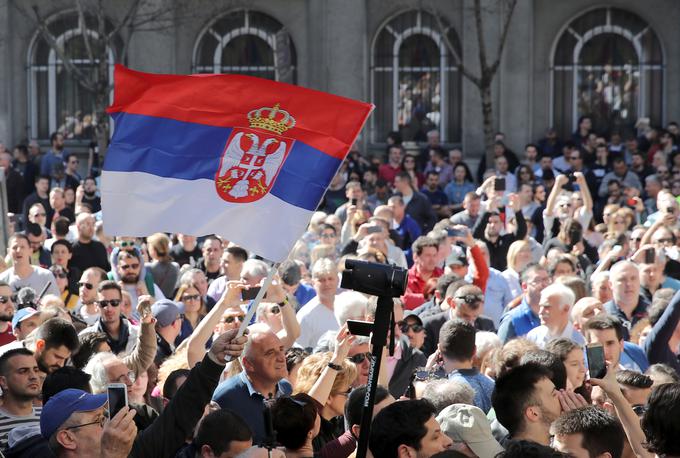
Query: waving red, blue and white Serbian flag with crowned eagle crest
x=245, y=158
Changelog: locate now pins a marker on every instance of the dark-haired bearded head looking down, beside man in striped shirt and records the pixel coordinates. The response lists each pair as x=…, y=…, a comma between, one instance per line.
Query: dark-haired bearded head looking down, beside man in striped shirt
x=55, y=340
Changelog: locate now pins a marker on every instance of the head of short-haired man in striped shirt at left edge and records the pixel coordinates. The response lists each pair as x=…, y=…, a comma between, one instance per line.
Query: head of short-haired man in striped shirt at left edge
x=19, y=375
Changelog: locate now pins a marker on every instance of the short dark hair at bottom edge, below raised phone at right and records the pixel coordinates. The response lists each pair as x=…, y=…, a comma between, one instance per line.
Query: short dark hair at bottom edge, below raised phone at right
x=601, y=431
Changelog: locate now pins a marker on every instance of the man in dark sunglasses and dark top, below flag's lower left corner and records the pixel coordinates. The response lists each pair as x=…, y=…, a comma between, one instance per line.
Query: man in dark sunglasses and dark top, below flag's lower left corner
x=122, y=336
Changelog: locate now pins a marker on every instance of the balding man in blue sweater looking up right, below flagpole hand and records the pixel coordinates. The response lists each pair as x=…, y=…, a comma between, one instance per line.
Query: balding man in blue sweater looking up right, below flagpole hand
x=264, y=369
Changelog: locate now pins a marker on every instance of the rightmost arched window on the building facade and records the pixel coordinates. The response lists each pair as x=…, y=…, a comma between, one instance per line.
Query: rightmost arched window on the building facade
x=607, y=64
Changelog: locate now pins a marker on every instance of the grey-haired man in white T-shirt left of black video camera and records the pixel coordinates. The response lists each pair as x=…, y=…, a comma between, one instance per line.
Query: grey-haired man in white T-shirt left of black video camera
x=318, y=316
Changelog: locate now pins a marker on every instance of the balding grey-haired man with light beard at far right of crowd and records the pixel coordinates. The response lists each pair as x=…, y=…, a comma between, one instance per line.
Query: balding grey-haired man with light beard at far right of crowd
x=627, y=305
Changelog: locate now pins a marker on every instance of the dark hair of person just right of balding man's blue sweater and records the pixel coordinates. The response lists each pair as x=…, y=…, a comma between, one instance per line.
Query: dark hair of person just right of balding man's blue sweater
x=293, y=417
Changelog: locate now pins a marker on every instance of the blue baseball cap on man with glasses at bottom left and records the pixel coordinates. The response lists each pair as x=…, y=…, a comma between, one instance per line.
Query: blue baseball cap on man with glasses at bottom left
x=63, y=404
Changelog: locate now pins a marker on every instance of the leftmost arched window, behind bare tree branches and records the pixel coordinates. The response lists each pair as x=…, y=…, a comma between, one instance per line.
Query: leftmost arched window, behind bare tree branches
x=56, y=101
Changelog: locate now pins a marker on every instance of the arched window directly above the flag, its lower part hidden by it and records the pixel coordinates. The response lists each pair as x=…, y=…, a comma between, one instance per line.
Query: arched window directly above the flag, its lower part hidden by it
x=246, y=42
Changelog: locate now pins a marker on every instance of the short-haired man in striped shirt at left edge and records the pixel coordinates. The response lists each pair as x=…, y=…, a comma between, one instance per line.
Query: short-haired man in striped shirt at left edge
x=21, y=386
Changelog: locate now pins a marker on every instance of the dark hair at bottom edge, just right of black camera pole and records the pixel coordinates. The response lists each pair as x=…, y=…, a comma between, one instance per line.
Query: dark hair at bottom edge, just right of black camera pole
x=401, y=423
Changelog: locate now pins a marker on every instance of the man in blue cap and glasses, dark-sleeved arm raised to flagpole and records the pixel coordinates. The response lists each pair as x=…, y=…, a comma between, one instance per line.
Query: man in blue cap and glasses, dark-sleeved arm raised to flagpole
x=64, y=411
